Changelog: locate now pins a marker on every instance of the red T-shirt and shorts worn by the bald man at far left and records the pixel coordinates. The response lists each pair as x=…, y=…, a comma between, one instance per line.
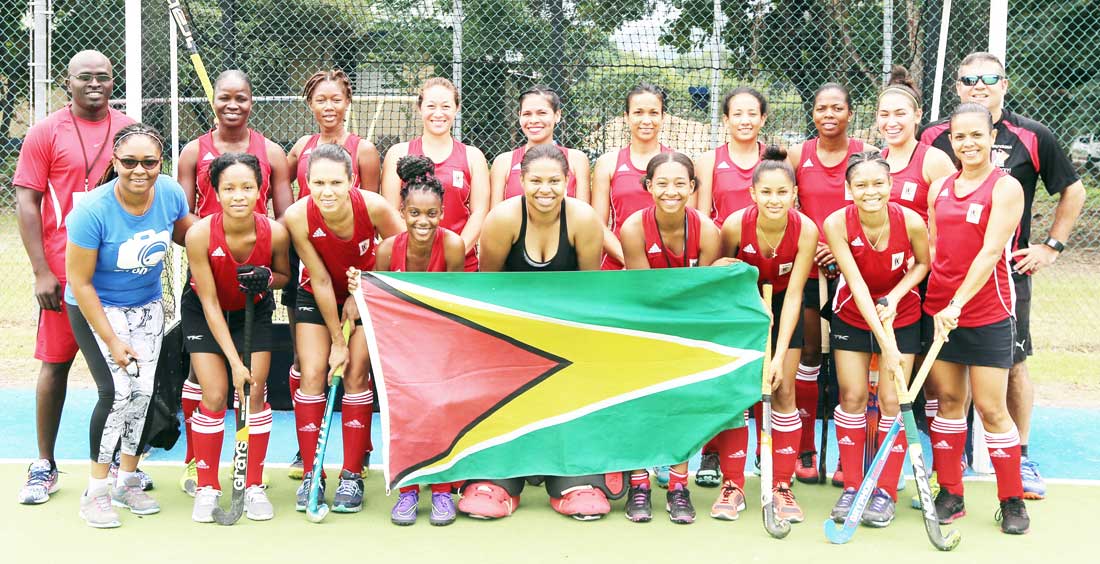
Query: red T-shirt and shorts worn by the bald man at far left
x=64, y=158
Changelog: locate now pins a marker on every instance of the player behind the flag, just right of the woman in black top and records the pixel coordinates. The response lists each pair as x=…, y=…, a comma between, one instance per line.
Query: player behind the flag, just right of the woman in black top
x=651, y=239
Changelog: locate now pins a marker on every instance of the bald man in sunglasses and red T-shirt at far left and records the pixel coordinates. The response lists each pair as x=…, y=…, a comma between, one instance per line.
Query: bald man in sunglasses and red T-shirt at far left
x=62, y=160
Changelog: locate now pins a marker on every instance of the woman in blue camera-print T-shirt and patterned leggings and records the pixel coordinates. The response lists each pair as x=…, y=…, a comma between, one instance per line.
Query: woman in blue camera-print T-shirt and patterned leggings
x=118, y=237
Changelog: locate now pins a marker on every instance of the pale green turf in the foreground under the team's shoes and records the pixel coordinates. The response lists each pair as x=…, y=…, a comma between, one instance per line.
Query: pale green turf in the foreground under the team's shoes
x=535, y=534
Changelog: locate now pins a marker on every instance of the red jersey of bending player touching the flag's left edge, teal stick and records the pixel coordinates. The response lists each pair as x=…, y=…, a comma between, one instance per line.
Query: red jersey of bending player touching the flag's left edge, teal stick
x=339, y=255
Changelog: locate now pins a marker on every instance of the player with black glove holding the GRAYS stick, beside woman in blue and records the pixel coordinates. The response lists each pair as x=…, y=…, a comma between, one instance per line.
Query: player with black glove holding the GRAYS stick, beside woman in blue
x=233, y=255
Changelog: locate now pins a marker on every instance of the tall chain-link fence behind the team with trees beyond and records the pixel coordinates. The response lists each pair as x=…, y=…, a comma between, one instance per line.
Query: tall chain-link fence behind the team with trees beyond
x=591, y=52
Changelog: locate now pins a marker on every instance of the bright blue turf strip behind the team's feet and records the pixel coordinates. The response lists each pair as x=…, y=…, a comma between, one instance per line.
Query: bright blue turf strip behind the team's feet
x=1060, y=440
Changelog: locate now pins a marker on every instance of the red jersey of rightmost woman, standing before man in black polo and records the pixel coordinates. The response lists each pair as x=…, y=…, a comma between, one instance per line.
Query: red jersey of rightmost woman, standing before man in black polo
x=961, y=230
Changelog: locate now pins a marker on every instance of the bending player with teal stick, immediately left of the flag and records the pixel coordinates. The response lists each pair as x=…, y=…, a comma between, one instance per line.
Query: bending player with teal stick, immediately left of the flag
x=333, y=231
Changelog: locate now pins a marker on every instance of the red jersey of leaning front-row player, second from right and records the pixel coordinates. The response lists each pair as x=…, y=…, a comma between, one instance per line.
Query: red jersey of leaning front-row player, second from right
x=882, y=270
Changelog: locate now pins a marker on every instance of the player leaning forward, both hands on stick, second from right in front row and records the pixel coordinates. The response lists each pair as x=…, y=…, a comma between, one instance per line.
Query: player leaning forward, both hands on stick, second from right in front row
x=874, y=242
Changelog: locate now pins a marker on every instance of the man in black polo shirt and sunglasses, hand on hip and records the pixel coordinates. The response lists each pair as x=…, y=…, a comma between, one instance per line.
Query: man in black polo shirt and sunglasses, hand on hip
x=1029, y=151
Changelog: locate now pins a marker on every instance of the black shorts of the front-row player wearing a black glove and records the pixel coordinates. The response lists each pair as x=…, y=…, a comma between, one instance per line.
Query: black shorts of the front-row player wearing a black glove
x=199, y=338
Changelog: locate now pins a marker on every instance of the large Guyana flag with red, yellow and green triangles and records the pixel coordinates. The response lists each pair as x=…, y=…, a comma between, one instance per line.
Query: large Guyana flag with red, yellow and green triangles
x=497, y=375
